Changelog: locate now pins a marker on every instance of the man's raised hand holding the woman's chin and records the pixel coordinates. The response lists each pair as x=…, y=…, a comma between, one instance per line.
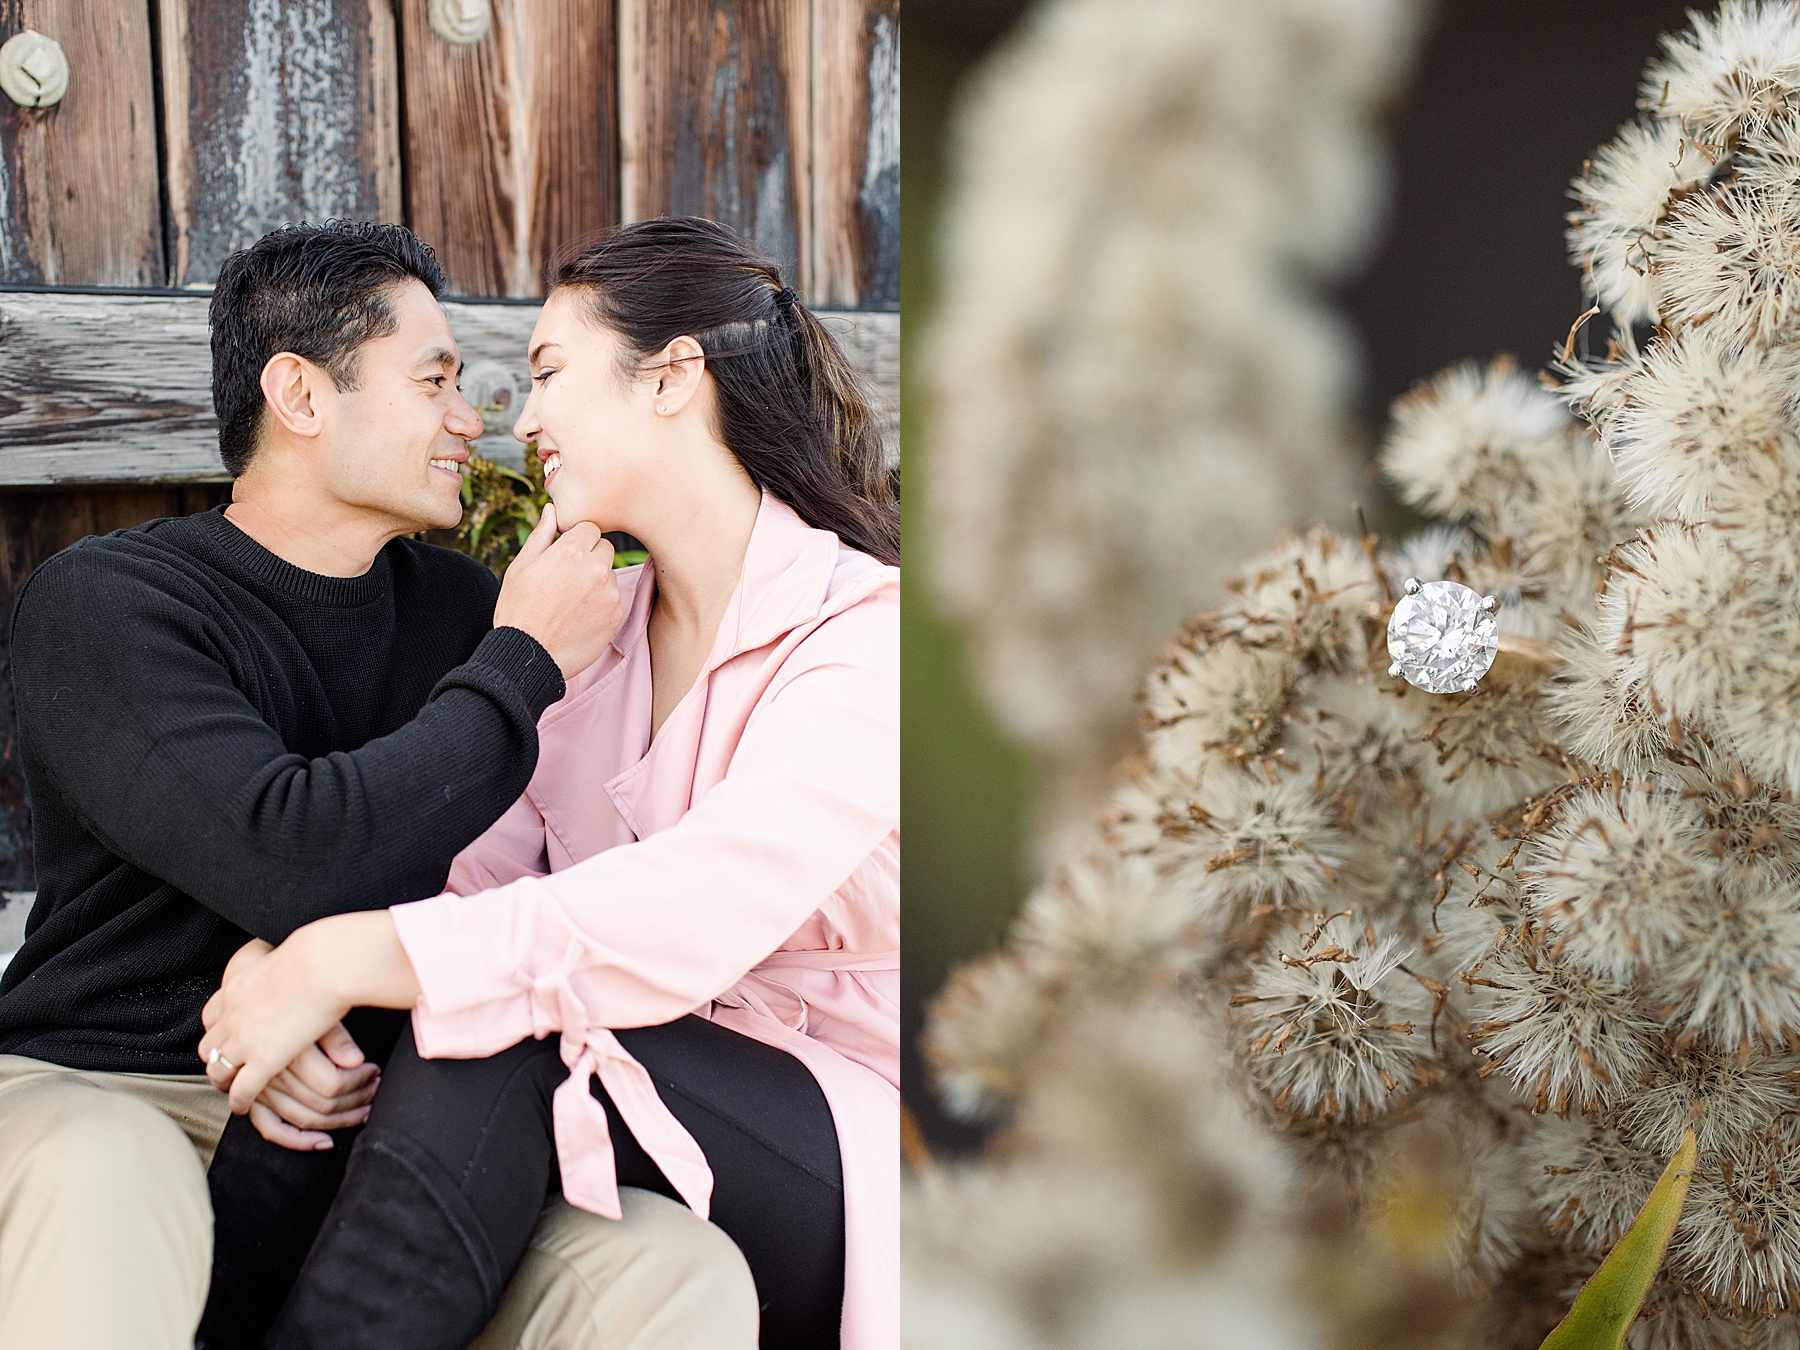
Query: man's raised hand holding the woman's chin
x=561, y=589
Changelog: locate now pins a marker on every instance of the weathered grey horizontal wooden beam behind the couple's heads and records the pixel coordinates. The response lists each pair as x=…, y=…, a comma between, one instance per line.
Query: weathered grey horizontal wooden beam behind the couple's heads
x=107, y=388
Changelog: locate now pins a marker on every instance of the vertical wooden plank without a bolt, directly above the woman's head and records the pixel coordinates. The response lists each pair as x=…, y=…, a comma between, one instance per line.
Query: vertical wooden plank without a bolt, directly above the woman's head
x=715, y=118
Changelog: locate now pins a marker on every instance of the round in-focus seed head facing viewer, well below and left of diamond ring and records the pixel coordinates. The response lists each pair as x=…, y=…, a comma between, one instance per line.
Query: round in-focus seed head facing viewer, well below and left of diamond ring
x=1331, y=1027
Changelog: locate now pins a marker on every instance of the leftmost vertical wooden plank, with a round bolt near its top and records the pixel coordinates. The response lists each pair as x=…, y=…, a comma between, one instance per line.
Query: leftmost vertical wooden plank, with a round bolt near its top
x=78, y=181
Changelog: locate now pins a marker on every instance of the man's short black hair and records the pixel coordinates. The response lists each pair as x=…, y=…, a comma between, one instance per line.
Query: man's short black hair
x=316, y=291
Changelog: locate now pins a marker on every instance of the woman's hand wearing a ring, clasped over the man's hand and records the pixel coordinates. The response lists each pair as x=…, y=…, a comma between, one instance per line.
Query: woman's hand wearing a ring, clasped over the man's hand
x=276, y=1002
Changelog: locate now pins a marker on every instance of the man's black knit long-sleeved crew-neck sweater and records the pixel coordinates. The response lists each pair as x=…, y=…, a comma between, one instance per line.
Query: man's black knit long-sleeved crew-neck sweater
x=219, y=744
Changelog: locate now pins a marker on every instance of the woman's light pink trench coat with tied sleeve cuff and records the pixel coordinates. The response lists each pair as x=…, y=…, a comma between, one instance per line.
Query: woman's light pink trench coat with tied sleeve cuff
x=744, y=867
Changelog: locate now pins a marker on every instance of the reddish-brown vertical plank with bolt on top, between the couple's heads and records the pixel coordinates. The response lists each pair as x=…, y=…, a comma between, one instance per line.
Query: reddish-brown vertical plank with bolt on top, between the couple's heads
x=510, y=141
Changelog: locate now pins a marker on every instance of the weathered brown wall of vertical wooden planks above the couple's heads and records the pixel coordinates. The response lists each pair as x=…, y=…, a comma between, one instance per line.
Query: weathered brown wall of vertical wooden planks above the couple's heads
x=778, y=118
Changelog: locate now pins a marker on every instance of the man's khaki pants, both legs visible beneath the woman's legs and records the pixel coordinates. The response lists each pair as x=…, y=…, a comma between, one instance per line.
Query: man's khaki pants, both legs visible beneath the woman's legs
x=107, y=1234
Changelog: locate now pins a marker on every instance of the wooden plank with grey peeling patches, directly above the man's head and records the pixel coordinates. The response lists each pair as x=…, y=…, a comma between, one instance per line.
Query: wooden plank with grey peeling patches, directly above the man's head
x=276, y=112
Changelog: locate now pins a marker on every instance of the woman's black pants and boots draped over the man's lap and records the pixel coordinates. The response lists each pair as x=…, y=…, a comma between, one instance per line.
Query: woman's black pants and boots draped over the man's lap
x=757, y=1113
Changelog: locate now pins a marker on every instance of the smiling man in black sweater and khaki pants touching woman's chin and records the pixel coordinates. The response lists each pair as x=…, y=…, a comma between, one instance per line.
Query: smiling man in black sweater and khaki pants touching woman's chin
x=244, y=721
